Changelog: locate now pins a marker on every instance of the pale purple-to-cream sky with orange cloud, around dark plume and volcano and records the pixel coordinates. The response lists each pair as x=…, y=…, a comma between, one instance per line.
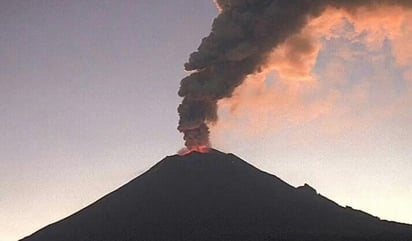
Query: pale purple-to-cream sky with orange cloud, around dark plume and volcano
x=88, y=98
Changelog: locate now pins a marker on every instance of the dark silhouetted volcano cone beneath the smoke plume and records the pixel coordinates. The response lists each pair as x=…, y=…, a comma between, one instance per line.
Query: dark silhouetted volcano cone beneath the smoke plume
x=217, y=196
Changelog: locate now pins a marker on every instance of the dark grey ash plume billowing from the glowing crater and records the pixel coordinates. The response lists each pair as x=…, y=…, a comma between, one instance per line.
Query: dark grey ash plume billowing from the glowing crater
x=241, y=39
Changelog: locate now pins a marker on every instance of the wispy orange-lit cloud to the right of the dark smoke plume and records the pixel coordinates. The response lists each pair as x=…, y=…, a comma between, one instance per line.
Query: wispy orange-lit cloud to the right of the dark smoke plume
x=294, y=87
